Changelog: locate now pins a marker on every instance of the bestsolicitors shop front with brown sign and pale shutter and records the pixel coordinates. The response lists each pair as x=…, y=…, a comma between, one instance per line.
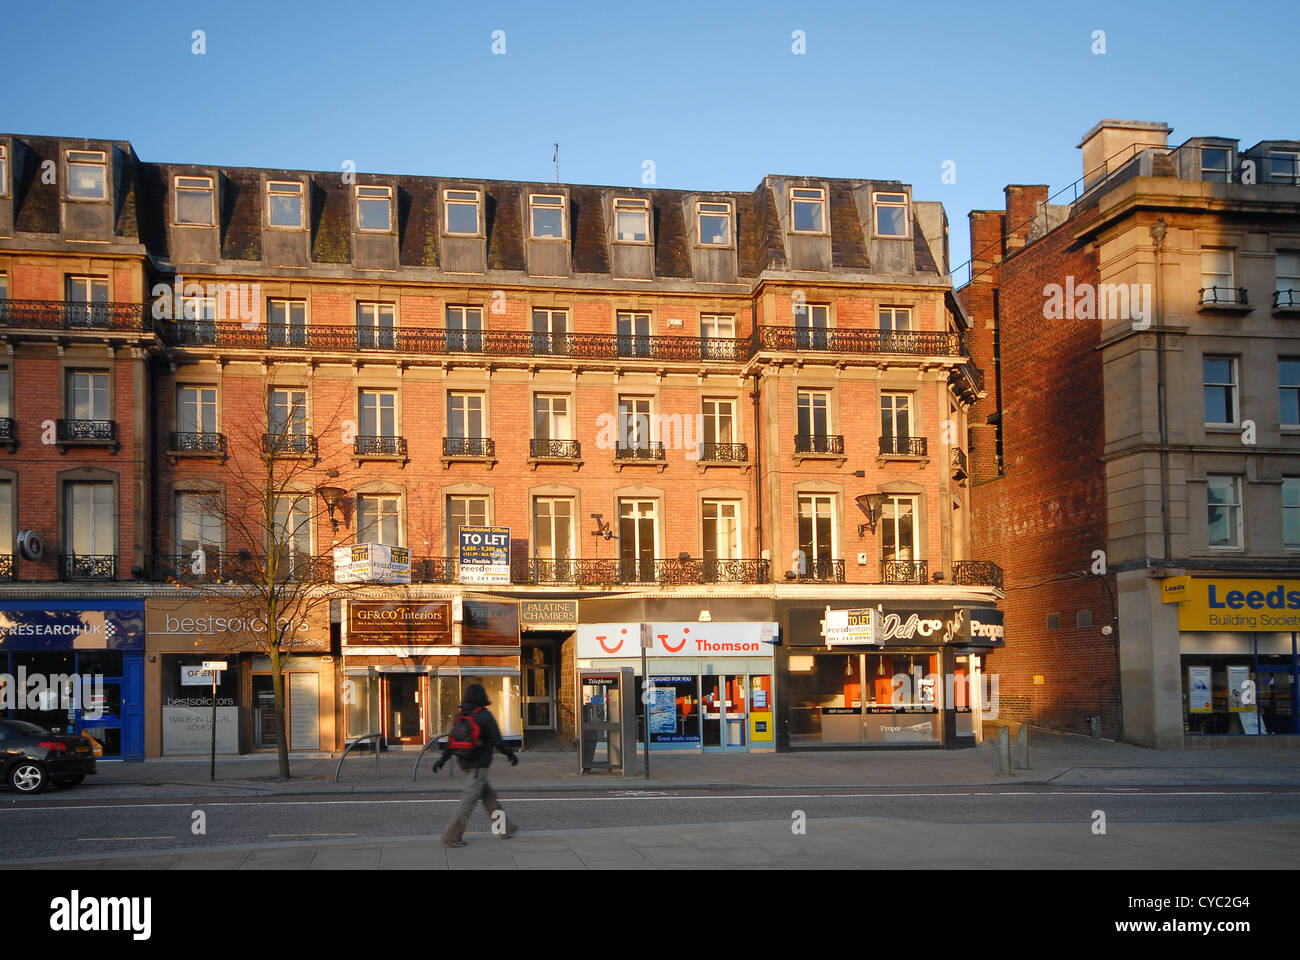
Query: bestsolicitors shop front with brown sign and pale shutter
x=184, y=633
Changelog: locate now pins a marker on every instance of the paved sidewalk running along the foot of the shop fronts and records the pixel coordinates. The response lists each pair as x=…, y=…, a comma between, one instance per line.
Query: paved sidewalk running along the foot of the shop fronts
x=1054, y=759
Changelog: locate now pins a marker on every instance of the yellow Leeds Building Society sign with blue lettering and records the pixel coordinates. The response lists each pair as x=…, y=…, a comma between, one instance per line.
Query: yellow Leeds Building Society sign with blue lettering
x=1237, y=606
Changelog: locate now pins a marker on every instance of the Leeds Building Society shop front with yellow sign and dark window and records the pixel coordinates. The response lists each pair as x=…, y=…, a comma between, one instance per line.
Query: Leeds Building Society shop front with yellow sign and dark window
x=1240, y=663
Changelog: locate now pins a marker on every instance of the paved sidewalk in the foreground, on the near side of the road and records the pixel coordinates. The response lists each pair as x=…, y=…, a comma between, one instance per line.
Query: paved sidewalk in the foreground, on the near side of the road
x=848, y=844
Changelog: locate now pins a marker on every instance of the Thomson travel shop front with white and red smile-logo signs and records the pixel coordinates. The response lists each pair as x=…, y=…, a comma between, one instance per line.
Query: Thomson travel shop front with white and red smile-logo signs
x=710, y=685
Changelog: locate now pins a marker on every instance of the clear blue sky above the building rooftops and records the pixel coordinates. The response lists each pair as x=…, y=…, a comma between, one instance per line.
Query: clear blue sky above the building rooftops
x=712, y=93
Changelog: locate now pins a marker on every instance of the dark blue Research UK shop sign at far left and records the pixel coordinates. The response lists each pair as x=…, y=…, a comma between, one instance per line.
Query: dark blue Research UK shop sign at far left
x=68, y=625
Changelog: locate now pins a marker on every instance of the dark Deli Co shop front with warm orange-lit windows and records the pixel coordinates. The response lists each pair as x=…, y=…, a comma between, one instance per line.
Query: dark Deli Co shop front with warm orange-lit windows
x=890, y=678
